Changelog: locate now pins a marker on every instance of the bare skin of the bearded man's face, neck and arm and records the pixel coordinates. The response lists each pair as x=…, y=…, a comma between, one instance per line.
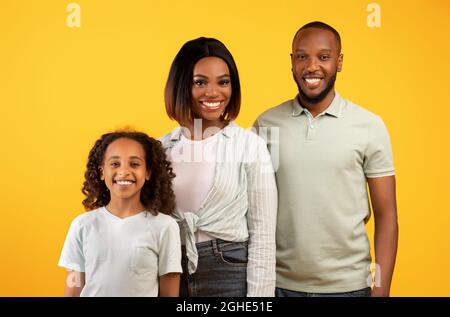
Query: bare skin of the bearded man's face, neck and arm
x=316, y=58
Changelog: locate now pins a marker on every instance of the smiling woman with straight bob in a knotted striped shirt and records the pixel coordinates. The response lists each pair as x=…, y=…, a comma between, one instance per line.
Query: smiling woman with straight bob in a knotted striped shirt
x=226, y=197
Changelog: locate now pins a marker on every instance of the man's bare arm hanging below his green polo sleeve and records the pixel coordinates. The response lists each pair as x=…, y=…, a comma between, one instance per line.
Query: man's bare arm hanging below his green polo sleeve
x=383, y=198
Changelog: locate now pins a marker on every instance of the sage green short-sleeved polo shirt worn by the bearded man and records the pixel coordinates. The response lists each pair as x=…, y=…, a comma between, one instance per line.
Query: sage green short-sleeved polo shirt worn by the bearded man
x=321, y=168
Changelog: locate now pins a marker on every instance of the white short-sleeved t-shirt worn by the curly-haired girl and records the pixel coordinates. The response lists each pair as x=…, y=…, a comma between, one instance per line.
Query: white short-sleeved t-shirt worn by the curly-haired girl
x=122, y=257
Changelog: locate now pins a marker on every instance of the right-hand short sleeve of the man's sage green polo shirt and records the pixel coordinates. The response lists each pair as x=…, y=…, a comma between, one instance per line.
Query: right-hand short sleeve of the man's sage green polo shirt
x=378, y=160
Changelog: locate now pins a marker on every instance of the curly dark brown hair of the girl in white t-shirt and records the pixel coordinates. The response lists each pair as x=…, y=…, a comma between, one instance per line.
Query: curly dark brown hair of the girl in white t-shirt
x=156, y=194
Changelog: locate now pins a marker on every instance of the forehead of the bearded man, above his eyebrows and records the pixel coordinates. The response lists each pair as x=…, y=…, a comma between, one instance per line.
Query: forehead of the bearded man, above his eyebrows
x=314, y=38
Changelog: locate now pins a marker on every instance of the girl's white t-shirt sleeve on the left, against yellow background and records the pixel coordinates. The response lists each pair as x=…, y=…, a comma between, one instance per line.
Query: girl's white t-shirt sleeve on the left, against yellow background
x=72, y=256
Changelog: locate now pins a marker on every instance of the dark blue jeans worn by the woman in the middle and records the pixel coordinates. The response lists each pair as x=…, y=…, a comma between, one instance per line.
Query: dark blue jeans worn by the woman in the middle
x=221, y=270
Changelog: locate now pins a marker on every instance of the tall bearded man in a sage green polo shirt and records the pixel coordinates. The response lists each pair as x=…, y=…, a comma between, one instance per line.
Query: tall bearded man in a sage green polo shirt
x=329, y=151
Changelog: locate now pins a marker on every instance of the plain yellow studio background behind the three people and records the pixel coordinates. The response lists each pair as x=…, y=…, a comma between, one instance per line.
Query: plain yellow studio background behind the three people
x=61, y=88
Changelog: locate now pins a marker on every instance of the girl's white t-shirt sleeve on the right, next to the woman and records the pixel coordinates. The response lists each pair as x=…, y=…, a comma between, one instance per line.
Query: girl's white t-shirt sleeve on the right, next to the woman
x=169, y=260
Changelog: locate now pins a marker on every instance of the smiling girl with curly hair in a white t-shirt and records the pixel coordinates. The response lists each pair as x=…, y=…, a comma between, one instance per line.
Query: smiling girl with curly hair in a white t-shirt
x=128, y=239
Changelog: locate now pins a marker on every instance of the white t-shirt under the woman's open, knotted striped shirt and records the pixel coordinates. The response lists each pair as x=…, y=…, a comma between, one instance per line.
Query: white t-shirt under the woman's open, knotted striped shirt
x=194, y=164
